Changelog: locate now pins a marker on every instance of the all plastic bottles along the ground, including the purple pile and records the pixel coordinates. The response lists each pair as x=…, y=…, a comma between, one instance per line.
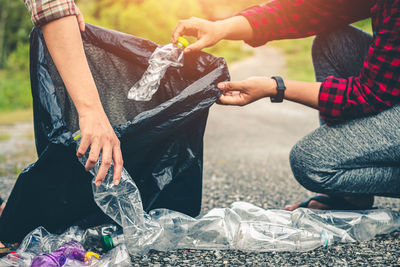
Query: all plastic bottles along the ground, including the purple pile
x=243, y=226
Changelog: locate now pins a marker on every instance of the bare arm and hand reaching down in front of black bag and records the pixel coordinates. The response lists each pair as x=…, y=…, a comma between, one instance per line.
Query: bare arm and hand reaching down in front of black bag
x=65, y=45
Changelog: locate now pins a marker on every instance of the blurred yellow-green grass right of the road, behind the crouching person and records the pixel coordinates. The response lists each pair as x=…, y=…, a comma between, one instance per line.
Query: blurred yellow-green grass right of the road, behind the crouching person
x=298, y=54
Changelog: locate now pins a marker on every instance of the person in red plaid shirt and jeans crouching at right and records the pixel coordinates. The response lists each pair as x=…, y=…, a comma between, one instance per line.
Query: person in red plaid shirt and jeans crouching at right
x=355, y=154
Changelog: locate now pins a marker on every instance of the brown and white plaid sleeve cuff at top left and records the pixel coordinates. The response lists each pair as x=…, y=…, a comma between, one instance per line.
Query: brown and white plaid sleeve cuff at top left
x=45, y=11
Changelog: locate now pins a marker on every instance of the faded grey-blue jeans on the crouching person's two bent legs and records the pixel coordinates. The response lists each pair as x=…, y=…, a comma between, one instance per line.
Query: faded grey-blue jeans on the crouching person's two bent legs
x=357, y=157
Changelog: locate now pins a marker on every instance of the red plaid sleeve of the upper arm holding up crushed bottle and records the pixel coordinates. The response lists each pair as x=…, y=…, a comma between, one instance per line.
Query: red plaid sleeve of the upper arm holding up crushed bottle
x=288, y=19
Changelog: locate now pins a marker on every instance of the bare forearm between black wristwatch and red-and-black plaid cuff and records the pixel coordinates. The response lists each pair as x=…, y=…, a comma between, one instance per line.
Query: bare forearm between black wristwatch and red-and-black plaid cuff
x=306, y=93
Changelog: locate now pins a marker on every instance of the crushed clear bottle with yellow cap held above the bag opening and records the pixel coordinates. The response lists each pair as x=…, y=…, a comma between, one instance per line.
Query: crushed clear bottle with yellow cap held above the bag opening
x=170, y=55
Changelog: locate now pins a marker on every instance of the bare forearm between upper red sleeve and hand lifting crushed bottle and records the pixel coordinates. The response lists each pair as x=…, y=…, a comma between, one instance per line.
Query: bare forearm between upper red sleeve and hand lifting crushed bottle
x=235, y=28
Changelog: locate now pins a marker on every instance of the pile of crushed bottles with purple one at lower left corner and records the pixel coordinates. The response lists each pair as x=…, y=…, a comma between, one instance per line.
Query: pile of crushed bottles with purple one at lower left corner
x=72, y=248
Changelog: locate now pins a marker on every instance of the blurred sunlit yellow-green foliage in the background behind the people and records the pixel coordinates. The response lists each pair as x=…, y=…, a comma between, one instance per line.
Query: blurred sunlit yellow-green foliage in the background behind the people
x=150, y=19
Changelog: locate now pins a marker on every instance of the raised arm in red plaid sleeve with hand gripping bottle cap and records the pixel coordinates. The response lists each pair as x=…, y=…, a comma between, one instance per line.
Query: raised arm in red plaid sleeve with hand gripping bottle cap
x=277, y=19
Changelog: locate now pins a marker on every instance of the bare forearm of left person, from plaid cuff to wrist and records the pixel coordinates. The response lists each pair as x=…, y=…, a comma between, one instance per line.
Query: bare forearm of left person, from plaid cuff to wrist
x=64, y=42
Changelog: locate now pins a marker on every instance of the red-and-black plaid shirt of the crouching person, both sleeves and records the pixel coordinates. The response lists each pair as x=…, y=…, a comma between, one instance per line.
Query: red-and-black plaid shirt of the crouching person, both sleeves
x=378, y=85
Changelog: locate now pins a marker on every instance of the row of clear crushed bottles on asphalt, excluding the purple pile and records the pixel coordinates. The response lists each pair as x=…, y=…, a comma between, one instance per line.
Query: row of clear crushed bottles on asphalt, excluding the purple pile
x=243, y=226
